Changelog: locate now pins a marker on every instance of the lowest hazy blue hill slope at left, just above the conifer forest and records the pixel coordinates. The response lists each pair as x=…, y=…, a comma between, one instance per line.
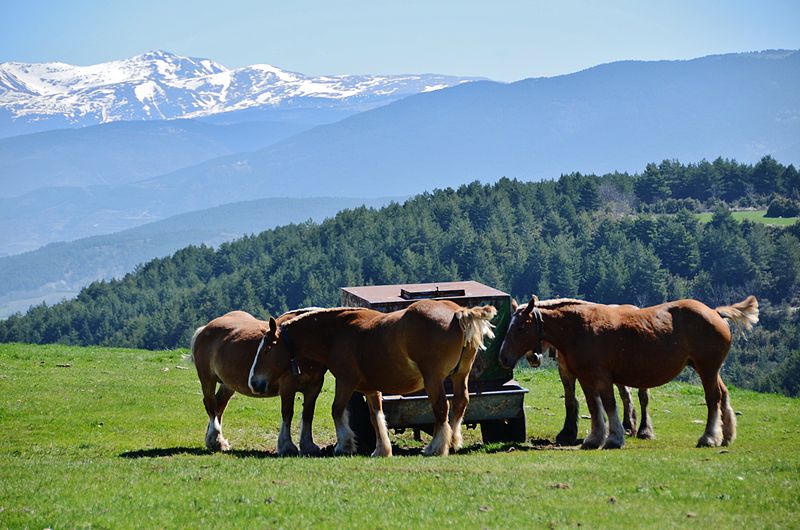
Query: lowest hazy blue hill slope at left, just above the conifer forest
x=60, y=270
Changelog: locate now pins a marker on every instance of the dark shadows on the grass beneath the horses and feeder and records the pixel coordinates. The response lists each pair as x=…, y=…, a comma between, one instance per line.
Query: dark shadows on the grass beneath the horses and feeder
x=327, y=452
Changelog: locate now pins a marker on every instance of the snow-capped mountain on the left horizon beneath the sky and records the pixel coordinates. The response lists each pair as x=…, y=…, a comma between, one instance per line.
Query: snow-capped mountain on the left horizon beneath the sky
x=162, y=85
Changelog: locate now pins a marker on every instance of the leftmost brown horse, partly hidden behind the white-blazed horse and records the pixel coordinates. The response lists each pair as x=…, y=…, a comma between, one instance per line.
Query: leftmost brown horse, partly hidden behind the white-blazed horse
x=223, y=352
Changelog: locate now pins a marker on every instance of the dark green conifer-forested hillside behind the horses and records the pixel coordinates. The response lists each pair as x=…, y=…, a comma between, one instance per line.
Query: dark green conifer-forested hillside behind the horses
x=612, y=238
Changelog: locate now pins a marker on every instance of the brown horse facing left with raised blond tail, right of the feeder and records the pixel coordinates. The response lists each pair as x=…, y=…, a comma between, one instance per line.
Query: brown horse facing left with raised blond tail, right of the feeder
x=642, y=348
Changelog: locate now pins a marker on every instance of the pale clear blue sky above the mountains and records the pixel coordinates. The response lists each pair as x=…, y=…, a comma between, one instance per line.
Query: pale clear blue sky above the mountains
x=503, y=40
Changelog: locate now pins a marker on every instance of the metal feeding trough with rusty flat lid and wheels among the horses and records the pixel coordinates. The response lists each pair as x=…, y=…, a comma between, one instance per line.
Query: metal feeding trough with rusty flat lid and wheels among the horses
x=496, y=400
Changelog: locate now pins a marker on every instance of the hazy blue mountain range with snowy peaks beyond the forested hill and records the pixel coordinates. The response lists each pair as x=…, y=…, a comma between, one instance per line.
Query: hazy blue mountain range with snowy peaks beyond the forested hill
x=260, y=132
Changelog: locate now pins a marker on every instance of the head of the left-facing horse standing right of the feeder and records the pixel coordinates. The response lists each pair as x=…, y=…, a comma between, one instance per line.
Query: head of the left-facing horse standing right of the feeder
x=524, y=331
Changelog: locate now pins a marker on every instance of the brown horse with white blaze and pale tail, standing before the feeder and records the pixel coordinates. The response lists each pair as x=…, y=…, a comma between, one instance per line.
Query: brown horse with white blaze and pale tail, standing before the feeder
x=372, y=352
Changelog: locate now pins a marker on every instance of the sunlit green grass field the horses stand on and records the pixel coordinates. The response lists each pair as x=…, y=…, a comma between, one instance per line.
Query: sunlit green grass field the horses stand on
x=109, y=438
